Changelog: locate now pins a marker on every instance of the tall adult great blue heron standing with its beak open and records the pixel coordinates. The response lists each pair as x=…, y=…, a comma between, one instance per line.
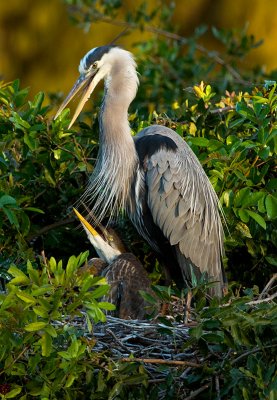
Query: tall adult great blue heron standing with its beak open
x=154, y=176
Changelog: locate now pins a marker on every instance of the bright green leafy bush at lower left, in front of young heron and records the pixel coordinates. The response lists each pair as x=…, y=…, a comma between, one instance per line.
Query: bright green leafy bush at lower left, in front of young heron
x=42, y=354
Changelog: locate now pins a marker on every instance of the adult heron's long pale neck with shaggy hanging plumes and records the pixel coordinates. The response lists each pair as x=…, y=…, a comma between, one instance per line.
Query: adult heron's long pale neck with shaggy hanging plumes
x=117, y=160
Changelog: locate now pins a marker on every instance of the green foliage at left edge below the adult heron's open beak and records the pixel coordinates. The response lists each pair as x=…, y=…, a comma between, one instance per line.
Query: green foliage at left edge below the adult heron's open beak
x=43, y=171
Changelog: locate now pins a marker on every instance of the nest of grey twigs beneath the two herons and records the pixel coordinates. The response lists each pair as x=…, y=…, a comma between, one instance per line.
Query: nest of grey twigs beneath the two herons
x=160, y=348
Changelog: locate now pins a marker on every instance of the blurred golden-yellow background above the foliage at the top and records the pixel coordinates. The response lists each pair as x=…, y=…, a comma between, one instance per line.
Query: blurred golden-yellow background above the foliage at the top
x=40, y=46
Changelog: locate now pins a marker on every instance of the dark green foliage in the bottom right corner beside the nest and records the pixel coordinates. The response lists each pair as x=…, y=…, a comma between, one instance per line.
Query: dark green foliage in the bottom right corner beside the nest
x=240, y=340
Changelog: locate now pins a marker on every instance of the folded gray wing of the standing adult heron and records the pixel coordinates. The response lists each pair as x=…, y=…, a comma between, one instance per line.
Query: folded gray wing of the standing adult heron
x=185, y=207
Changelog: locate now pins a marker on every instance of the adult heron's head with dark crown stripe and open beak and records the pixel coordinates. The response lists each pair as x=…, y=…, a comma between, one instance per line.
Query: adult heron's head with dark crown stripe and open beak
x=99, y=63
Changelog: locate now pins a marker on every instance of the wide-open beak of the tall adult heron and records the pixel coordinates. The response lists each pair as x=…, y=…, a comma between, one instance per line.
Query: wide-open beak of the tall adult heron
x=89, y=84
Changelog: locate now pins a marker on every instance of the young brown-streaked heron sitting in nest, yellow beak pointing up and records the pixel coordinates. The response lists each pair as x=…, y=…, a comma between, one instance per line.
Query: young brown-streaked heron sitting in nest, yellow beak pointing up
x=123, y=272
